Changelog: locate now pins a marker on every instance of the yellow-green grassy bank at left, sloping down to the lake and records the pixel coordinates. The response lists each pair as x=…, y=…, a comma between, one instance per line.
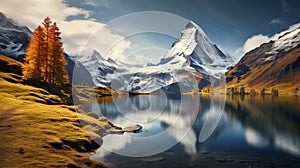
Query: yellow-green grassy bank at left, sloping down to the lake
x=34, y=134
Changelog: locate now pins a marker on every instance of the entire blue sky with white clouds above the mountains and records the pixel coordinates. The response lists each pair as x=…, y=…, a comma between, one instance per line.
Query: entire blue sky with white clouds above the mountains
x=236, y=26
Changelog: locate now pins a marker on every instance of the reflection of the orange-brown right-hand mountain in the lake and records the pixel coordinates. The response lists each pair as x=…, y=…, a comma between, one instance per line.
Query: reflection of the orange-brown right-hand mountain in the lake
x=268, y=120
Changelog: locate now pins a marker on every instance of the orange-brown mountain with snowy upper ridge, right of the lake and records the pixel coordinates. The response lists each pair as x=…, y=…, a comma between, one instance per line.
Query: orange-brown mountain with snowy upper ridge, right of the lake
x=273, y=65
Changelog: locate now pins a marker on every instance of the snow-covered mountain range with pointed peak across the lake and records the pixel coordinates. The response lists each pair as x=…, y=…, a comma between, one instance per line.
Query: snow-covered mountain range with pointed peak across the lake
x=192, y=53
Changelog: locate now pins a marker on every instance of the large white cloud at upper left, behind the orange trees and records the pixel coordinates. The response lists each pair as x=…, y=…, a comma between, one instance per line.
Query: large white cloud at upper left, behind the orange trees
x=75, y=33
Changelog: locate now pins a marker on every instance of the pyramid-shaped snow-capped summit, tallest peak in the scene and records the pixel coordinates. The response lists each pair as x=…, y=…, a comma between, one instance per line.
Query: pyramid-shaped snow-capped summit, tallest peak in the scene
x=193, y=49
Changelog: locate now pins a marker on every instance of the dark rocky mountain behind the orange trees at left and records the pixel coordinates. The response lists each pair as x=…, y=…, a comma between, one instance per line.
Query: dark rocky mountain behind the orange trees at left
x=14, y=39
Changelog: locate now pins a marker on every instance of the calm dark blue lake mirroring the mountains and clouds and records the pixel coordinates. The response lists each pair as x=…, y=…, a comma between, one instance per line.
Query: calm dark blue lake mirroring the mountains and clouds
x=202, y=131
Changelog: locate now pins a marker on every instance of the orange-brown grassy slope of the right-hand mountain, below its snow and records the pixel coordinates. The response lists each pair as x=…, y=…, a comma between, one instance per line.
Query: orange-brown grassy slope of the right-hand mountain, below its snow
x=257, y=78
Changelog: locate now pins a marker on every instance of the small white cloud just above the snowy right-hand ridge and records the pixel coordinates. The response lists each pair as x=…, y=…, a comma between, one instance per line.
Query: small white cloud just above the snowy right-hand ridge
x=256, y=40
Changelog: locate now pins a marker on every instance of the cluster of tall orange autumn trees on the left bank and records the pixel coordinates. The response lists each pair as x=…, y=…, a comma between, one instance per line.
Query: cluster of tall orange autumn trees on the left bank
x=45, y=59
